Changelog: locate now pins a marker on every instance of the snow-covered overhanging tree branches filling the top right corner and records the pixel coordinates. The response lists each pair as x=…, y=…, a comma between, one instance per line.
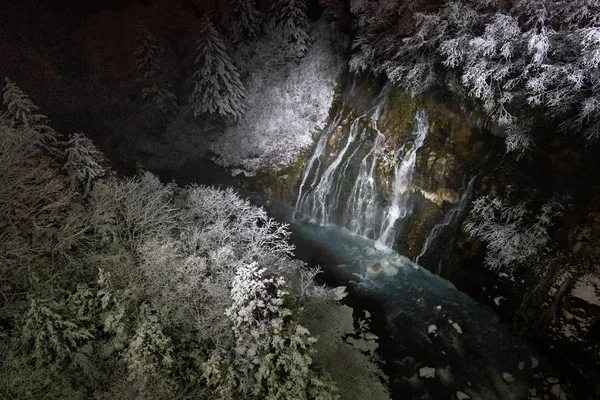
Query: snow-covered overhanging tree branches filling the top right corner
x=544, y=54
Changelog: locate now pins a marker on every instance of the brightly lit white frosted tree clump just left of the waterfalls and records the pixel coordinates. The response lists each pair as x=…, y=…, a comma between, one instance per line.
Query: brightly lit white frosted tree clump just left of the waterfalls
x=288, y=101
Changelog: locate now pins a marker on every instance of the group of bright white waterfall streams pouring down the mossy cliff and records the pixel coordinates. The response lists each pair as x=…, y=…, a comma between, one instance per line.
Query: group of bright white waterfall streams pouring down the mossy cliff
x=339, y=181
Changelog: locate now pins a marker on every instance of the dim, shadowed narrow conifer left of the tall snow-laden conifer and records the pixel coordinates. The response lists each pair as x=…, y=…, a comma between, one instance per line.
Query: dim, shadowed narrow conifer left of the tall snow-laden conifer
x=152, y=75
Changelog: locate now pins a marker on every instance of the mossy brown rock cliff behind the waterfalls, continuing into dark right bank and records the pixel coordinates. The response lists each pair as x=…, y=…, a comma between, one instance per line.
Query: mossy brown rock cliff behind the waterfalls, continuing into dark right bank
x=461, y=158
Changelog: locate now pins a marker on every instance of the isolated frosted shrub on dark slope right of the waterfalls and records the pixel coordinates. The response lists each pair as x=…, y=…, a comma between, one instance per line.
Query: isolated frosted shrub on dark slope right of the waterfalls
x=513, y=236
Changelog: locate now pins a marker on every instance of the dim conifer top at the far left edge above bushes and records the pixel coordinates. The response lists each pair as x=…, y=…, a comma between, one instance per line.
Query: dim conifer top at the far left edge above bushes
x=22, y=112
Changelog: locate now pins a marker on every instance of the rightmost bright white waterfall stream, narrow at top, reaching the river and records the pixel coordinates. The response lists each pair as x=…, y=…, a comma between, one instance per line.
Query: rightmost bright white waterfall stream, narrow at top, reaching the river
x=398, y=204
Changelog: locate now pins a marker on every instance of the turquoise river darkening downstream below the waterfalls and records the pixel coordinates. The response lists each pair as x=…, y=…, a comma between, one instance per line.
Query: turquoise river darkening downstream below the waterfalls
x=404, y=300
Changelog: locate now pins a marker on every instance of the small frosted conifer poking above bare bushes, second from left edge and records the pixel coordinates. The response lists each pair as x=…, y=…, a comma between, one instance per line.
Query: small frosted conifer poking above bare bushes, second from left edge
x=84, y=161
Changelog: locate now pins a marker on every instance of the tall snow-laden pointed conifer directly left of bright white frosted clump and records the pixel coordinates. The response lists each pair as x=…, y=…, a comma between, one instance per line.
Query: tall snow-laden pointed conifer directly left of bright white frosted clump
x=217, y=84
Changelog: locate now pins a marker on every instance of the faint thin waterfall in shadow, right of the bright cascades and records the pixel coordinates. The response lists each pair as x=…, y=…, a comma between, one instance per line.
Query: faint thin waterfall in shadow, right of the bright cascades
x=449, y=222
